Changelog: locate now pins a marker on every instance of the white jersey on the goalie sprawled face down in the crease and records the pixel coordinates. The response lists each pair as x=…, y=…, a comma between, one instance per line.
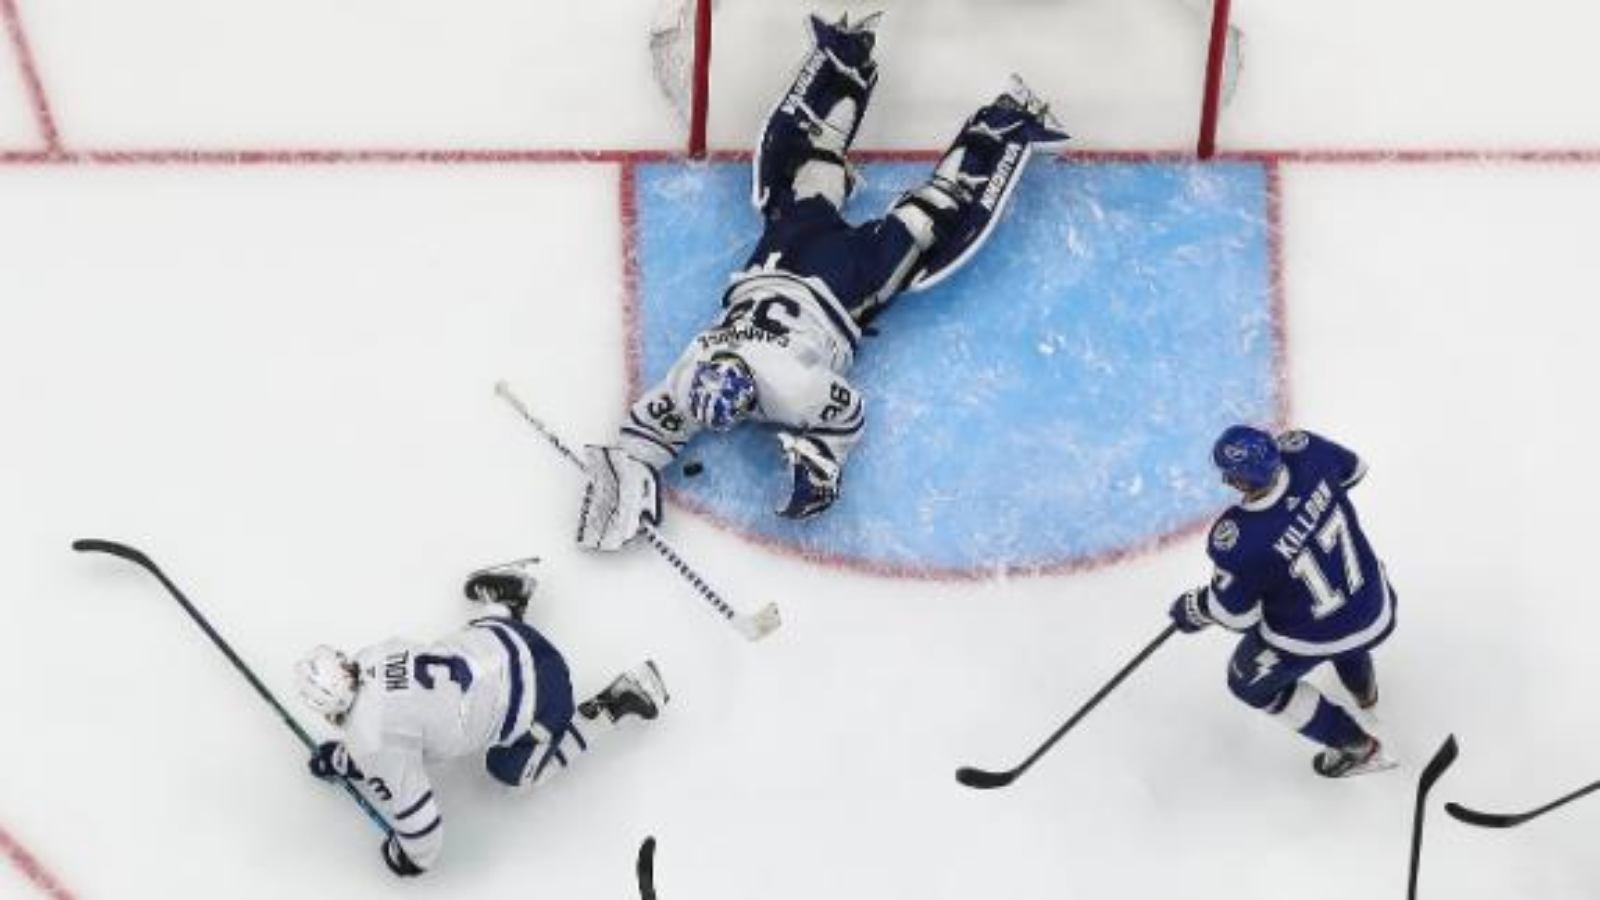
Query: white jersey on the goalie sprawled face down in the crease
x=799, y=342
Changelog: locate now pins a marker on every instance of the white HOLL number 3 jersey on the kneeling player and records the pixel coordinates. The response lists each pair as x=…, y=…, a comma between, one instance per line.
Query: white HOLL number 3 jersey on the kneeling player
x=428, y=702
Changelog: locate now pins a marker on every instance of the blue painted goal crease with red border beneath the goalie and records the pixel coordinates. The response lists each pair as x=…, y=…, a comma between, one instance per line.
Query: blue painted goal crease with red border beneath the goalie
x=1054, y=403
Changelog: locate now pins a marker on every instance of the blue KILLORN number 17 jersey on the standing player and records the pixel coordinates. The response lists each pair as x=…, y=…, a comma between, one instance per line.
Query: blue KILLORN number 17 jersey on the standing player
x=1295, y=565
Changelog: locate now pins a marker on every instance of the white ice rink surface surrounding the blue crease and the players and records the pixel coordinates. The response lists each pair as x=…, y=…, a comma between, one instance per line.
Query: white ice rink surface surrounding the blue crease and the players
x=278, y=380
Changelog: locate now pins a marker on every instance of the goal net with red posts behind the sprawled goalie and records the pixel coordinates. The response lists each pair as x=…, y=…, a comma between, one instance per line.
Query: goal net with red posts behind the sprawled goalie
x=1122, y=74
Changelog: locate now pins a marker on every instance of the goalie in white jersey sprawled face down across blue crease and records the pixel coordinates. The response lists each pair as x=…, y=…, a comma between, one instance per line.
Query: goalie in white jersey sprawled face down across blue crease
x=793, y=318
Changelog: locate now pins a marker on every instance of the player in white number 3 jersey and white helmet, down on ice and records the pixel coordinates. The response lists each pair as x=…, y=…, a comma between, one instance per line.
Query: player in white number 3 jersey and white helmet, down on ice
x=495, y=688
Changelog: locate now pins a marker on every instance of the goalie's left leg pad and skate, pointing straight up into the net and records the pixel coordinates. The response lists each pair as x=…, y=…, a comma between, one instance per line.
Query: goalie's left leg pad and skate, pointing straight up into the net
x=802, y=150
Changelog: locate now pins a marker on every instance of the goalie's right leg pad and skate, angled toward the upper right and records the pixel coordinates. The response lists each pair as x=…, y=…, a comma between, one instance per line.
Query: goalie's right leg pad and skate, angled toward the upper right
x=953, y=214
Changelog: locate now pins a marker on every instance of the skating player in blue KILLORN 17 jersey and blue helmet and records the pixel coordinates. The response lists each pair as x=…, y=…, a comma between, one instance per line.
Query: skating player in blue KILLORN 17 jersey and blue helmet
x=1295, y=576
